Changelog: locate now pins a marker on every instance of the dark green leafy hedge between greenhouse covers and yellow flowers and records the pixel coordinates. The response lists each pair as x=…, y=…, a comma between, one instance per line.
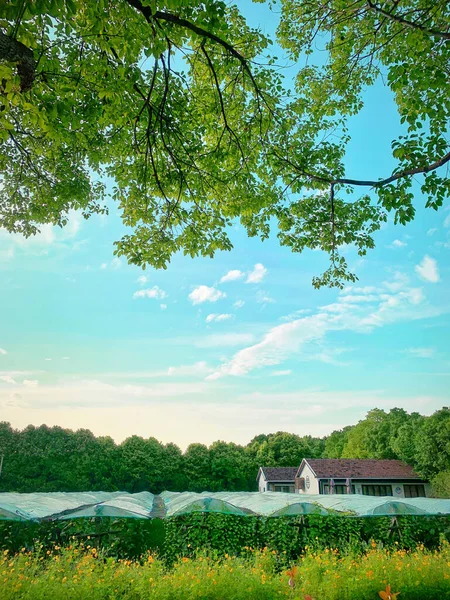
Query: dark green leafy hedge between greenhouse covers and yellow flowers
x=227, y=534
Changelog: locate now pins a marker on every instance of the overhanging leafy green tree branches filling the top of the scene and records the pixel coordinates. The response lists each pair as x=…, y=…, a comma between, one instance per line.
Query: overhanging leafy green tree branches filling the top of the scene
x=184, y=115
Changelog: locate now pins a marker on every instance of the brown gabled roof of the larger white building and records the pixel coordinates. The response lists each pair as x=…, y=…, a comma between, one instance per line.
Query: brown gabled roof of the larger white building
x=365, y=468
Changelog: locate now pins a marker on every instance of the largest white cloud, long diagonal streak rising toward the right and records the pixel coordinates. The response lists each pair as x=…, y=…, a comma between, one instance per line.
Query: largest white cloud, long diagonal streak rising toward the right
x=301, y=334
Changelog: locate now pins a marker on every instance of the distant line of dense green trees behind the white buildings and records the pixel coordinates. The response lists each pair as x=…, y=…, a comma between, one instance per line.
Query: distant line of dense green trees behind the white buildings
x=51, y=459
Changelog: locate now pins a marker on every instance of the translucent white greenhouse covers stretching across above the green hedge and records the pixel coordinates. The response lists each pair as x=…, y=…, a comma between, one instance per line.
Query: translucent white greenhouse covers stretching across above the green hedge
x=144, y=505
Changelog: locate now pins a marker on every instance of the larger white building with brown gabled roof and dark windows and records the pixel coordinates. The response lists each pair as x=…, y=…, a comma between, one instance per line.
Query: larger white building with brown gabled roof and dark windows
x=368, y=477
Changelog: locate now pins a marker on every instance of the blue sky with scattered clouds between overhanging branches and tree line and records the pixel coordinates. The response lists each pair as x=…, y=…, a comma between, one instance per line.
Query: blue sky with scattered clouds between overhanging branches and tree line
x=230, y=347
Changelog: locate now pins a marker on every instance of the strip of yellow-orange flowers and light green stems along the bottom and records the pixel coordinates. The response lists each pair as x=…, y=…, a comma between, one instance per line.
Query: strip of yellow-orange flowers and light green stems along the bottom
x=81, y=572
